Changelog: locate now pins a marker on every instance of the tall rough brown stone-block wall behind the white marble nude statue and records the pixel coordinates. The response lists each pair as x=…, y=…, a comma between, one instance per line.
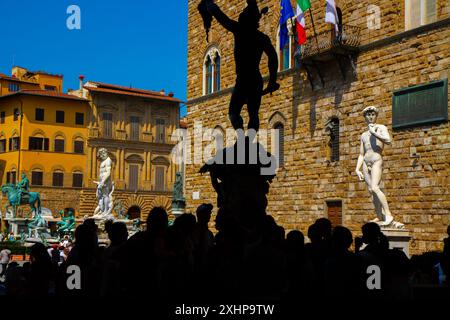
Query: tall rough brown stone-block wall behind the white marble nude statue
x=399, y=47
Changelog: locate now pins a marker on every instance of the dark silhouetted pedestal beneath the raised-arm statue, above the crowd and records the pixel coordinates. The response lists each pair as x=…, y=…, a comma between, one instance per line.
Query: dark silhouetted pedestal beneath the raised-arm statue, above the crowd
x=241, y=176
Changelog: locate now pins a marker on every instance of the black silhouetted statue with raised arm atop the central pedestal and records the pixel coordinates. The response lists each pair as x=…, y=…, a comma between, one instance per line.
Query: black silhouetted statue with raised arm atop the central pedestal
x=249, y=45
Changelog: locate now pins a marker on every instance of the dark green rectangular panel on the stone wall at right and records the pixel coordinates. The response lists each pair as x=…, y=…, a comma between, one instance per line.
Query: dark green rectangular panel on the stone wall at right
x=419, y=105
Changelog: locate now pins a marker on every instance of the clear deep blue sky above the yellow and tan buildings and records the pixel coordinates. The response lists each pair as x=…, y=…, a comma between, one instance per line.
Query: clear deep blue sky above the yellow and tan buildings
x=142, y=43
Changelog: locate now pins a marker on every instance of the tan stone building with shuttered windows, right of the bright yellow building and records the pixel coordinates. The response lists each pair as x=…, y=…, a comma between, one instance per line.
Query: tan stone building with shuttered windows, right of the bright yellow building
x=135, y=127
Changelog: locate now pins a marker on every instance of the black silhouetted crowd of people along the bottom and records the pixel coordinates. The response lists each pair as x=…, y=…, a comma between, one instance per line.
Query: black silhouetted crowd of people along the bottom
x=185, y=261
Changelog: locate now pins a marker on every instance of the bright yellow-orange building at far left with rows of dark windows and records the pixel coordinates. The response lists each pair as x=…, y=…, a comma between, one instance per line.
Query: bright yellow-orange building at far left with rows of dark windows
x=43, y=134
